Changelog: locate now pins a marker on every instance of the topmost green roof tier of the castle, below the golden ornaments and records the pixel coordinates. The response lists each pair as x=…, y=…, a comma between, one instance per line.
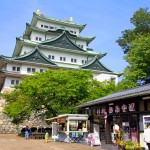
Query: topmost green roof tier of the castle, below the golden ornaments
x=54, y=20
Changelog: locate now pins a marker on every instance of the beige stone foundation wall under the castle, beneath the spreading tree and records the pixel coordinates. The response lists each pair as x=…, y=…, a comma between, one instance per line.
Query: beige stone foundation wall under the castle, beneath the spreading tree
x=7, y=127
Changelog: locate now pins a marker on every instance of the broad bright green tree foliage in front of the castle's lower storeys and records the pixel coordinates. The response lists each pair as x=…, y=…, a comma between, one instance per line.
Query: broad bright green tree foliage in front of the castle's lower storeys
x=53, y=92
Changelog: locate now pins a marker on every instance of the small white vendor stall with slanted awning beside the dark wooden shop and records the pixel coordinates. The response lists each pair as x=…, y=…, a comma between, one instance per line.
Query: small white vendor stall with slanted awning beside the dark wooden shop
x=69, y=127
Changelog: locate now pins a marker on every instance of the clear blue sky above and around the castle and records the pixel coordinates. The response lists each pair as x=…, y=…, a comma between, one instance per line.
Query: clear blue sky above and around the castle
x=105, y=19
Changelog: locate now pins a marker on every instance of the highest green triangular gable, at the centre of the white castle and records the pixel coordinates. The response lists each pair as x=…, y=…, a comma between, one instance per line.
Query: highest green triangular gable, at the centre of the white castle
x=62, y=41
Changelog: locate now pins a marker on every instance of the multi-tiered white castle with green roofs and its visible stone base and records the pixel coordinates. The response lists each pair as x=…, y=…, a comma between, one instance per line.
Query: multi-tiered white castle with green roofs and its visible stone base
x=48, y=43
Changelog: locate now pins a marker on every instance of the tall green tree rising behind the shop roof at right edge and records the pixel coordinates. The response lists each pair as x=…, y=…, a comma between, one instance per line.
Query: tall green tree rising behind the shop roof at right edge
x=135, y=43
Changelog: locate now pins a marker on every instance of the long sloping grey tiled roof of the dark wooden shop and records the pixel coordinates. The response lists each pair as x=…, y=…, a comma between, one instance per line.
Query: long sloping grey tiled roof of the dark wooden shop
x=133, y=92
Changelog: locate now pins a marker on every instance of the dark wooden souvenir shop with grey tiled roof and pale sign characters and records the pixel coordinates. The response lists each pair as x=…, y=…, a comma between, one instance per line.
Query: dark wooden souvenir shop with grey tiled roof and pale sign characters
x=126, y=108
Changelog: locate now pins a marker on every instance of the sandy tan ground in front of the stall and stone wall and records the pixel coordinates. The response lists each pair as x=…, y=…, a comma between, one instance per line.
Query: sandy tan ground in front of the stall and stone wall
x=13, y=142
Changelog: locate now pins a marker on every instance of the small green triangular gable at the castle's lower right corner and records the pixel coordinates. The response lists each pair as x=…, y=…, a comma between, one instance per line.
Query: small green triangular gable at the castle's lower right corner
x=95, y=64
